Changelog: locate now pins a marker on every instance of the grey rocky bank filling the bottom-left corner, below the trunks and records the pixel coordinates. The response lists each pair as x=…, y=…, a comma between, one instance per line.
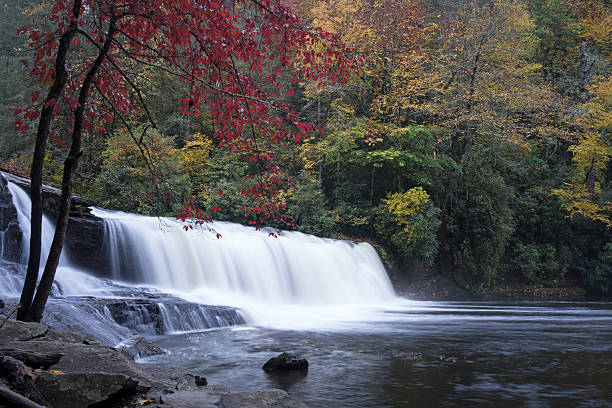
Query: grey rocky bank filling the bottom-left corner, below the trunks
x=41, y=366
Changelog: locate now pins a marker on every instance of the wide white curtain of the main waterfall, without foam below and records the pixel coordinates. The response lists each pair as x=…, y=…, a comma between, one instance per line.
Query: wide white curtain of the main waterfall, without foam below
x=294, y=268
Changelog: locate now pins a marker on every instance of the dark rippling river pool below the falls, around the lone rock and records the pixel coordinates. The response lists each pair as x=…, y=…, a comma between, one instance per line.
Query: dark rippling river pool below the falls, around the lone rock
x=425, y=354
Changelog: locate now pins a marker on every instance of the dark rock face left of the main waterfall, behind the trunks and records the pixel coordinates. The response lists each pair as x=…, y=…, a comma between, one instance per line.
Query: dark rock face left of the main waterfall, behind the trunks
x=85, y=236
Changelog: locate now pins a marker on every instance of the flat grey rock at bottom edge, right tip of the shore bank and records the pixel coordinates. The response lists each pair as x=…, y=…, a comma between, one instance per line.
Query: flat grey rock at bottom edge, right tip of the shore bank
x=260, y=399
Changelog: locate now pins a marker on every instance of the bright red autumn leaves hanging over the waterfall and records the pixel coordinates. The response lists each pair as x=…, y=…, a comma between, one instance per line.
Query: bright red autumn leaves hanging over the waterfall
x=237, y=58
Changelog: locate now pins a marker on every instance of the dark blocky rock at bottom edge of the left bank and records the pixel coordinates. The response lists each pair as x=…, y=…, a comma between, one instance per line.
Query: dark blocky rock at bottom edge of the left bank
x=85, y=389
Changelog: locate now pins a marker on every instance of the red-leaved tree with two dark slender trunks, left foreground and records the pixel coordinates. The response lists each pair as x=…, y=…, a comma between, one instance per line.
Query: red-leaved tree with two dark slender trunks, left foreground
x=235, y=58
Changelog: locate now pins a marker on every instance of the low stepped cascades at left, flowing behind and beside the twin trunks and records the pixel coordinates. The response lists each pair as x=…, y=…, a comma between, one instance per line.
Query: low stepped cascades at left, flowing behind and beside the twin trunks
x=101, y=308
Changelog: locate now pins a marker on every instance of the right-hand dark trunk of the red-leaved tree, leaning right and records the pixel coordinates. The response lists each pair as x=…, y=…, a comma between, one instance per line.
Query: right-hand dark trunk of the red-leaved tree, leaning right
x=70, y=166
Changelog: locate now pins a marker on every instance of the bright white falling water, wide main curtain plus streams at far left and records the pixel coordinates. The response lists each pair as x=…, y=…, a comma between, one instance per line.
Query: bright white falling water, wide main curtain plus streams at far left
x=293, y=281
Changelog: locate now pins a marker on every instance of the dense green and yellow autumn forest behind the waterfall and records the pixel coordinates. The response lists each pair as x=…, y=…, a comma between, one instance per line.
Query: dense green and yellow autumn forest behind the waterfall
x=471, y=140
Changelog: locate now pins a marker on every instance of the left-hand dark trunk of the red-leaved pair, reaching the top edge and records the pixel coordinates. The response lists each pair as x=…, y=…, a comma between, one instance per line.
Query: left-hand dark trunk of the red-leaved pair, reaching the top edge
x=42, y=135
